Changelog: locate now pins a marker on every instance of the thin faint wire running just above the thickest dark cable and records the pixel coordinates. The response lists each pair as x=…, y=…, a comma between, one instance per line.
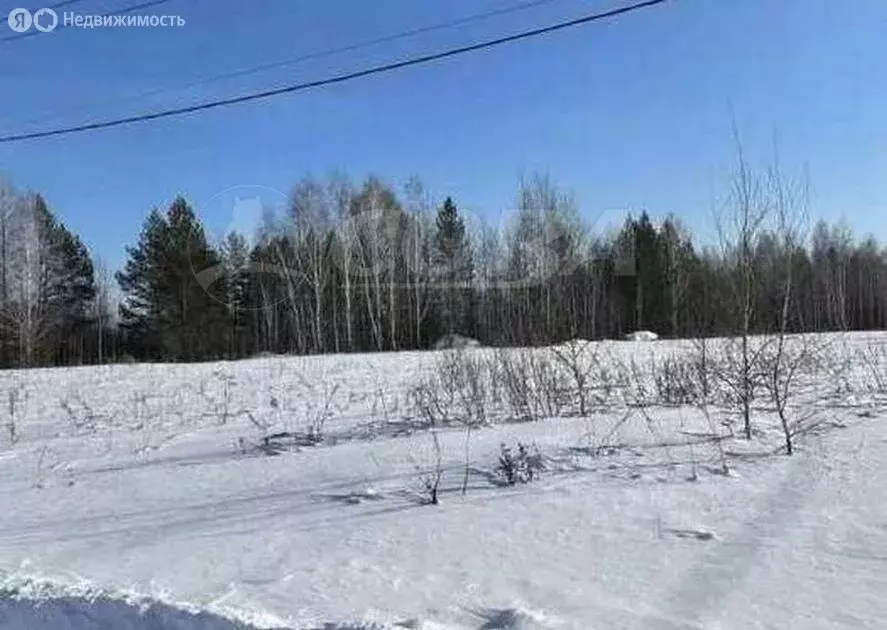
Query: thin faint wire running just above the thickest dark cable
x=313, y=55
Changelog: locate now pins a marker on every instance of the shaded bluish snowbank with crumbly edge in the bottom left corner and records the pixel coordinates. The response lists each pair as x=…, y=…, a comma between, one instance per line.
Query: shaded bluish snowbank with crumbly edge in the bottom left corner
x=28, y=604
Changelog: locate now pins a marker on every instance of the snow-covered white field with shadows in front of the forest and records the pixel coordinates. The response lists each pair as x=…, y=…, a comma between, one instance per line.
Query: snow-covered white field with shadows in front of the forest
x=144, y=496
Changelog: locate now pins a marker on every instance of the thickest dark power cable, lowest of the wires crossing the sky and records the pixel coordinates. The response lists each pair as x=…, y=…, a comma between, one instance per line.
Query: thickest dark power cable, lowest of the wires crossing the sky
x=341, y=78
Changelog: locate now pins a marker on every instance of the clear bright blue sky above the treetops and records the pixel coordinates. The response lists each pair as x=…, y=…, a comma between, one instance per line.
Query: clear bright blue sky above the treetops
x=630, y=113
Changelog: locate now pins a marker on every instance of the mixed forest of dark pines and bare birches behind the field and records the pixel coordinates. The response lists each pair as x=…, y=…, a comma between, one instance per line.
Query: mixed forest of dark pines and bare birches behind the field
x=367, y=267
